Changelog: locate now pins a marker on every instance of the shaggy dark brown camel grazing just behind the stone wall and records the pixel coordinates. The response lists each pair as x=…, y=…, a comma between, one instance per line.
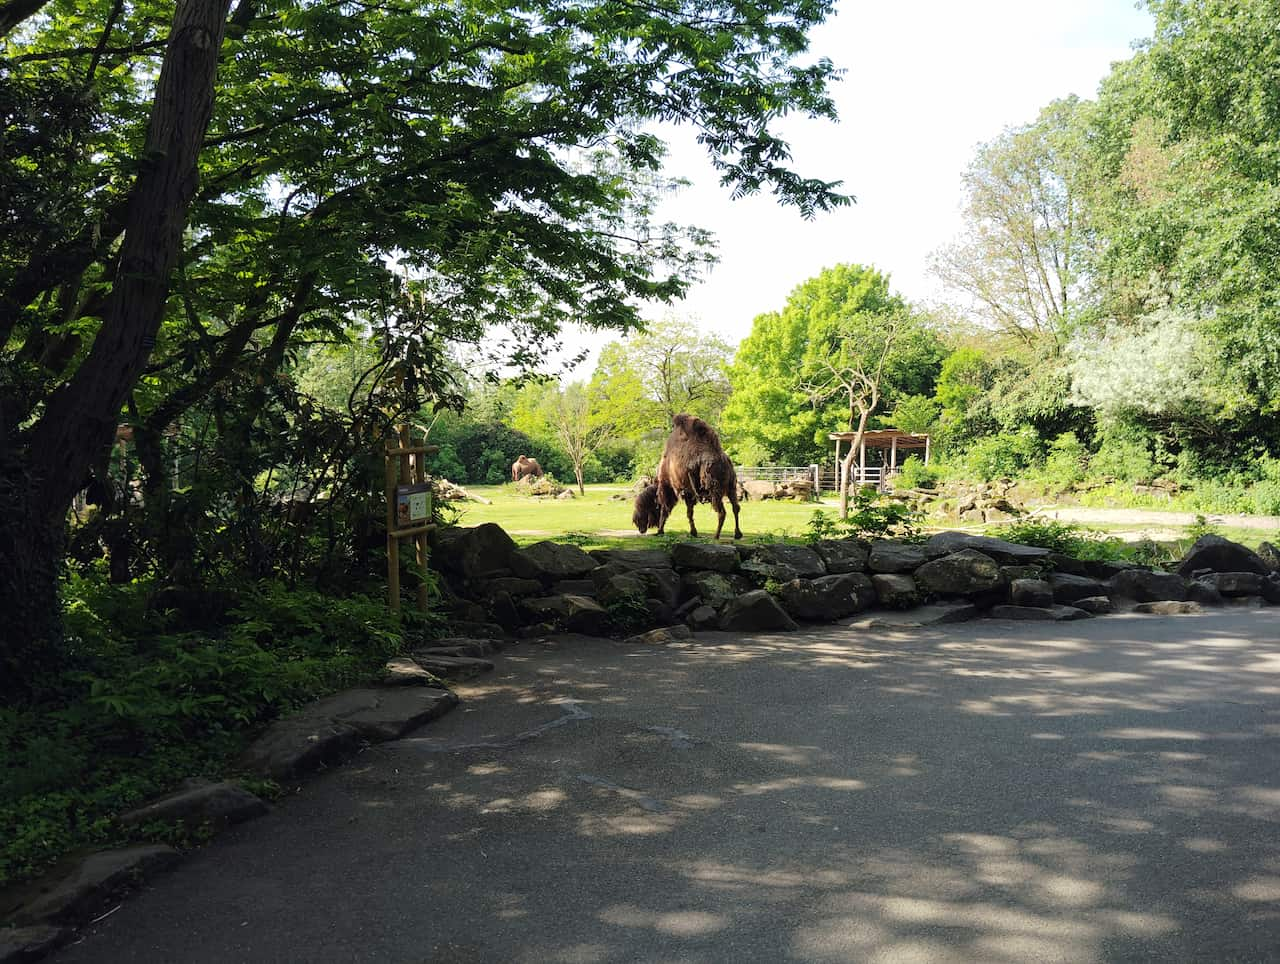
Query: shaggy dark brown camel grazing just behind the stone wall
x=696, y=469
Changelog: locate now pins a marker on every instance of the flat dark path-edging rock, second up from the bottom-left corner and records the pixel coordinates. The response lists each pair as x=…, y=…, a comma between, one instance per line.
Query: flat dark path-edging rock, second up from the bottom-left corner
x=95, y=884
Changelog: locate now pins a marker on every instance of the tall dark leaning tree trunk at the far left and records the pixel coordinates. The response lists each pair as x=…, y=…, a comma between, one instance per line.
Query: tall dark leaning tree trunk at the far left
x=51, y=460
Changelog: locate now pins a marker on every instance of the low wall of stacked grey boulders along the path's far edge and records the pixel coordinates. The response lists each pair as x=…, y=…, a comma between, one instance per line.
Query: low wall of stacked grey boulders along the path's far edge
x=551, y=587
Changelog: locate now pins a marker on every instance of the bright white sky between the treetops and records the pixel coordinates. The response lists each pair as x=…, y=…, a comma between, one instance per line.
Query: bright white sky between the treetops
x=926, y=83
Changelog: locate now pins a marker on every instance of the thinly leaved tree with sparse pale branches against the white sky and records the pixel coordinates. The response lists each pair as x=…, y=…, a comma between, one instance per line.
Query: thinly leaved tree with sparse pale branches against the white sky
x=1018, y=263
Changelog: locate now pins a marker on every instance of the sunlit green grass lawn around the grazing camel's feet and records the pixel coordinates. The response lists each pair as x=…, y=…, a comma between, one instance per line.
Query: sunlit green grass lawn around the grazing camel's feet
x=609, y=523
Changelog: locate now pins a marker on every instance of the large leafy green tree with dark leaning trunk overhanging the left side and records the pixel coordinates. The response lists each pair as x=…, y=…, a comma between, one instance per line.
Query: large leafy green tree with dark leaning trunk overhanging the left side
x=501, y=157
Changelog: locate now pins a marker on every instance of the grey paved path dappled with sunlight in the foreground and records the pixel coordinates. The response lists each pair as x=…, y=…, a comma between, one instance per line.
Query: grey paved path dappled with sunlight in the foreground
x=1092, y=792
